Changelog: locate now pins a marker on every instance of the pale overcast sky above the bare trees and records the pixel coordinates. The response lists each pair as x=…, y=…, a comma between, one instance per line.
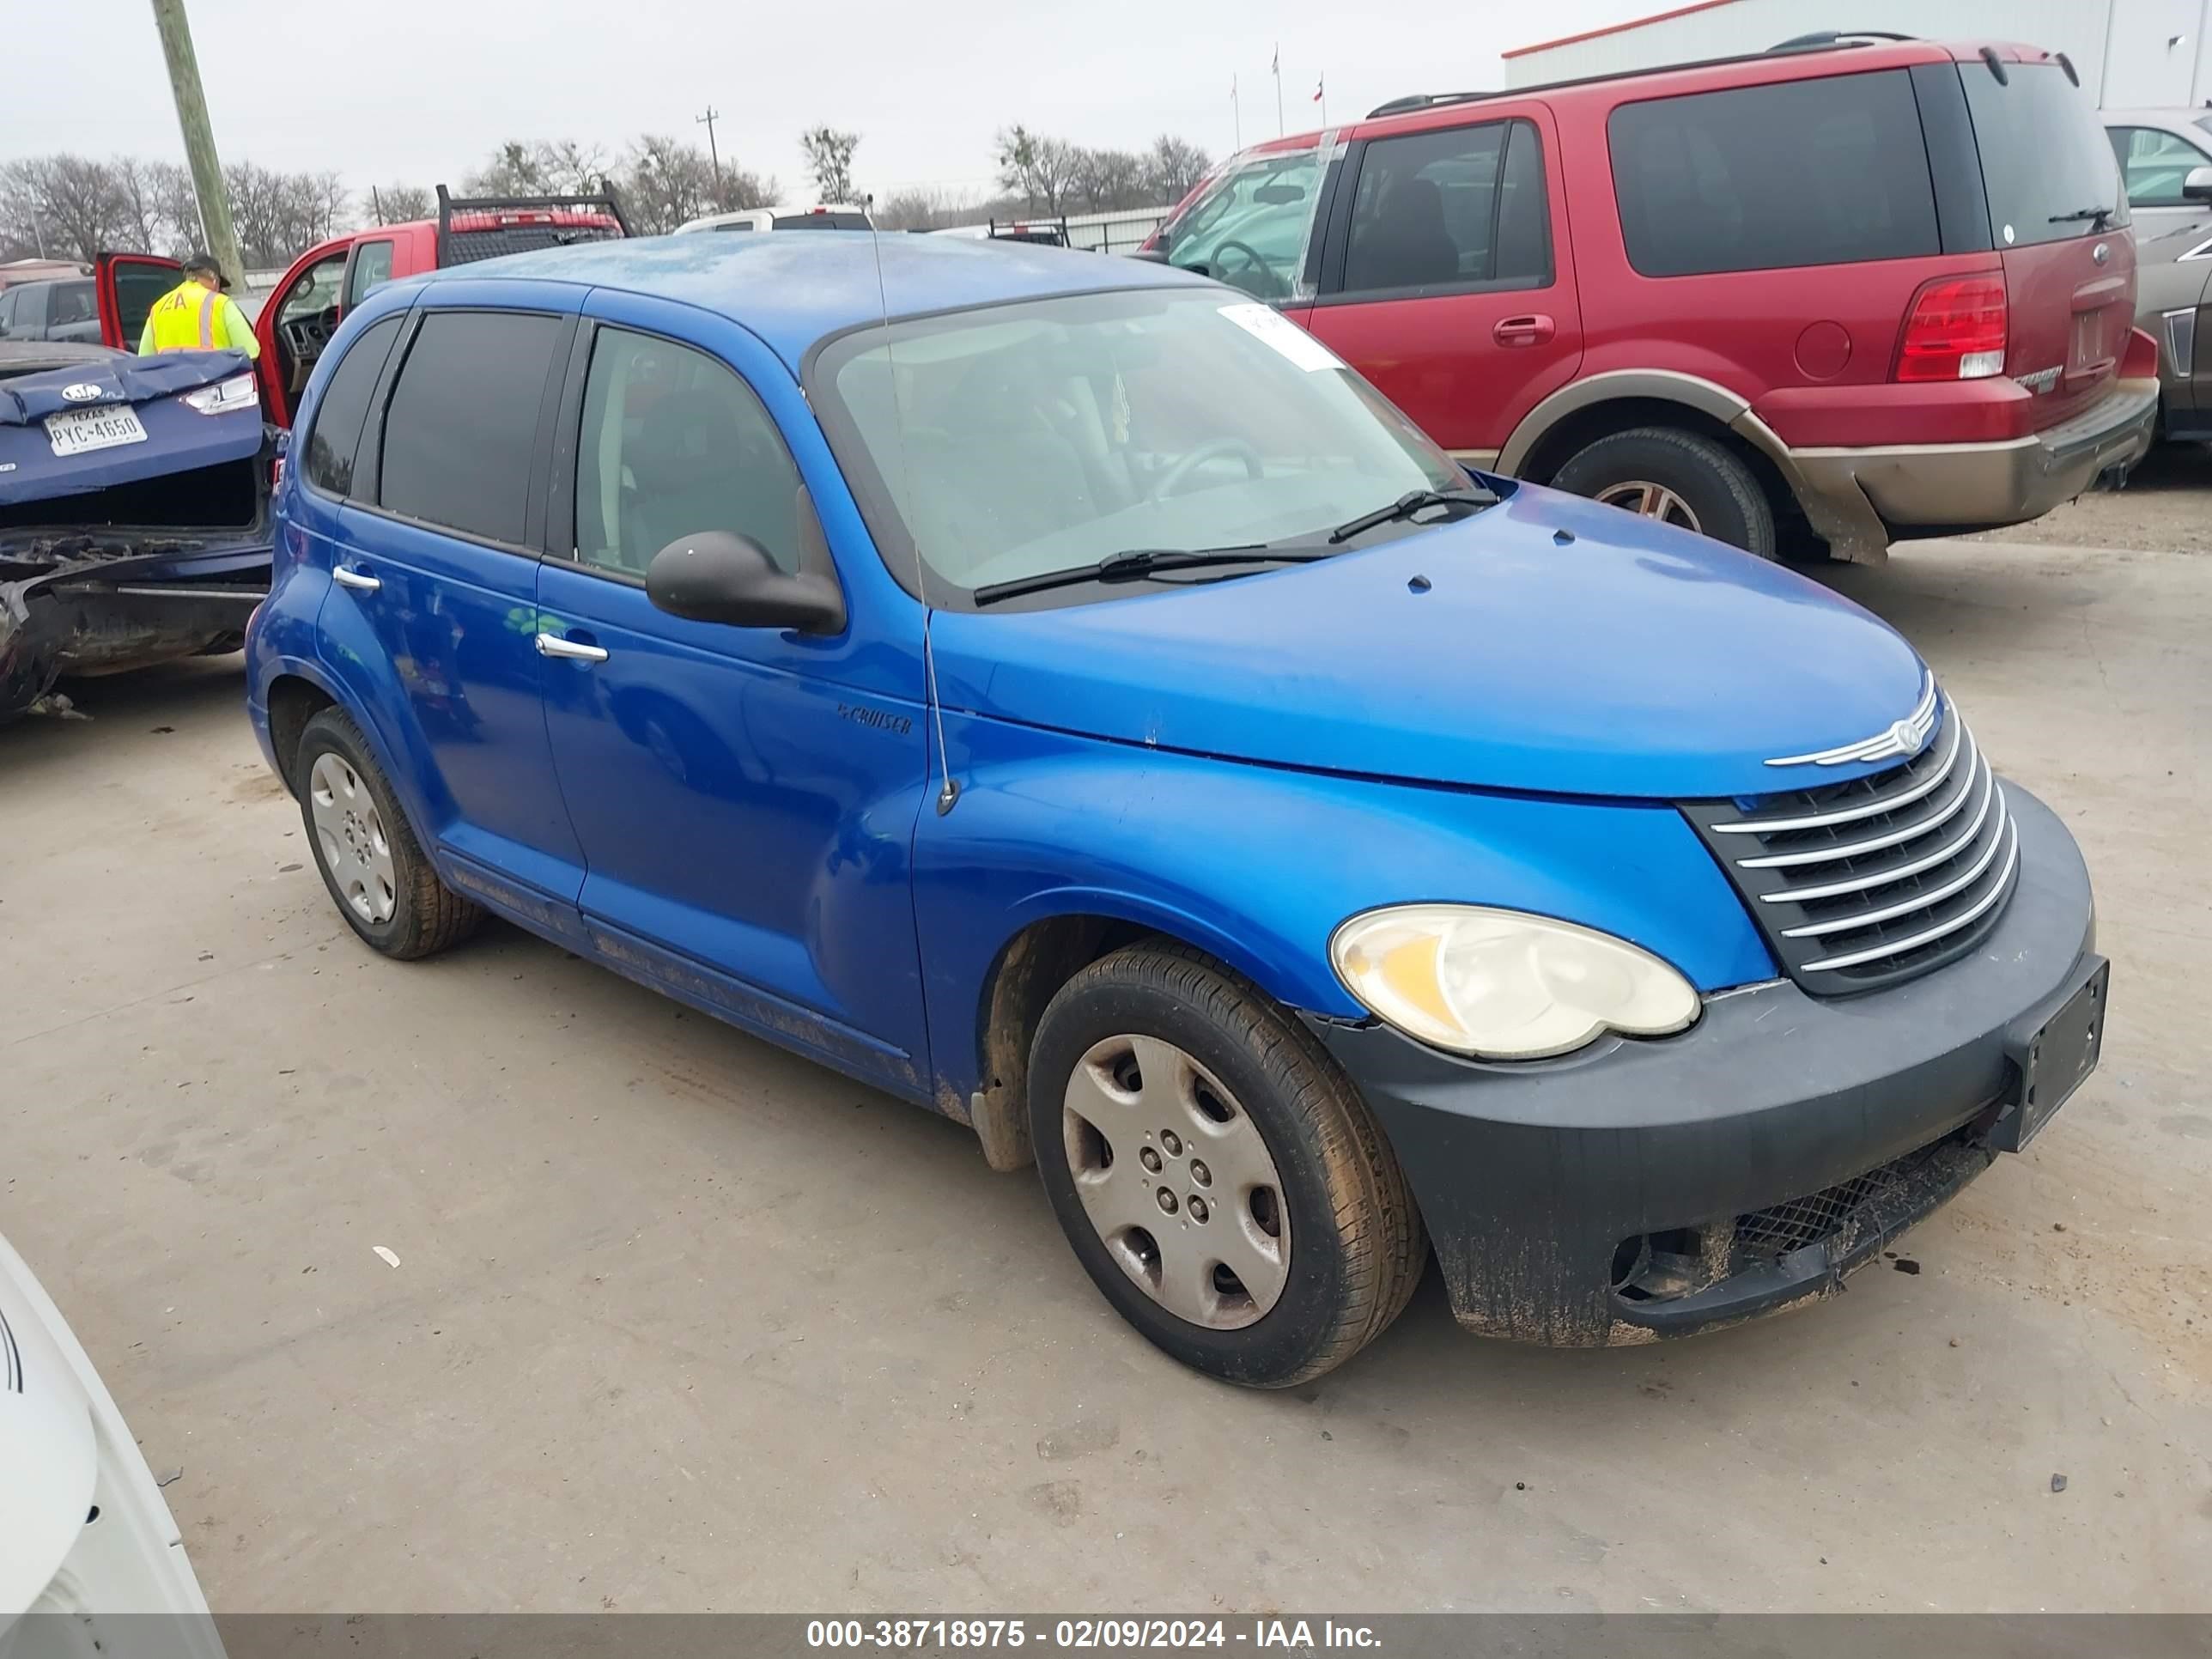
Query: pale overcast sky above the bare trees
x=419, y=92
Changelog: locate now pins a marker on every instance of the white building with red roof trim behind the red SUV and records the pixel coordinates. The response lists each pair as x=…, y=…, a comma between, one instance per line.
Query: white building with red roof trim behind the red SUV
x=2127, y=52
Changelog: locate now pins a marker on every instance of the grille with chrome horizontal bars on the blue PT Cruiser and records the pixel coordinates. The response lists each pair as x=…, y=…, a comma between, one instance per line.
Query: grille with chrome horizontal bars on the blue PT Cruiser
x=1866, y=884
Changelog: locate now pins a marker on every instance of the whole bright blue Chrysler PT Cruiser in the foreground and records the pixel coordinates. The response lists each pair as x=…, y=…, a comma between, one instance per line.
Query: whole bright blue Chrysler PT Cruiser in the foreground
x=1061, y=693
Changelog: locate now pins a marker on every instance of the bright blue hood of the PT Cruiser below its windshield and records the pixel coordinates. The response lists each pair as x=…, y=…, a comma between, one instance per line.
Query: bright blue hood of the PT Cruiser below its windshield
x=1636, y=660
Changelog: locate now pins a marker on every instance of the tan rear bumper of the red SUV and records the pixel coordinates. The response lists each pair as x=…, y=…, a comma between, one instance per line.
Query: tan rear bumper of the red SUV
x=1864, y=499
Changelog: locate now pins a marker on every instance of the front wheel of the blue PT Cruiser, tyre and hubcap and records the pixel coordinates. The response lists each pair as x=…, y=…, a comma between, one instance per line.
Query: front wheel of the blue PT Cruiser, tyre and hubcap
x=1220, y=1180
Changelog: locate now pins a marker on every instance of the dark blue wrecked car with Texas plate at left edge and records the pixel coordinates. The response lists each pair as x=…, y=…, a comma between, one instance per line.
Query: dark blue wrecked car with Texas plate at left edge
x=134, y=510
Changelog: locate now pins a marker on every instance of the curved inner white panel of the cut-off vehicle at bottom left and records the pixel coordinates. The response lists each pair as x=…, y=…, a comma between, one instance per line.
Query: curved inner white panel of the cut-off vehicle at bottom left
x=48, y=1452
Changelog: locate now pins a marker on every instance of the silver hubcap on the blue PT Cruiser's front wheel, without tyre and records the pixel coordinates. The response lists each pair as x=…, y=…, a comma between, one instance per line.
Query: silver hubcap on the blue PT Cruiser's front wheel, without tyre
x=1178, y=1182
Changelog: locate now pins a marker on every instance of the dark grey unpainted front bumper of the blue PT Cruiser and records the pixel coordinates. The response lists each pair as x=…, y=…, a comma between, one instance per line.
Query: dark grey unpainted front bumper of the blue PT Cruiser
x=1636, y=1189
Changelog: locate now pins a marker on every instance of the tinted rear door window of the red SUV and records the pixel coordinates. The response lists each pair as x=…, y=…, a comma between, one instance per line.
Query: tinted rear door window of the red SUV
x=1450, y=211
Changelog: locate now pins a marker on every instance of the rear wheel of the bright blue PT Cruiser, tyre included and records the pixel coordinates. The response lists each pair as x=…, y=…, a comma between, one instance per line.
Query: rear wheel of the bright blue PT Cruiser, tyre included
x=373, y=864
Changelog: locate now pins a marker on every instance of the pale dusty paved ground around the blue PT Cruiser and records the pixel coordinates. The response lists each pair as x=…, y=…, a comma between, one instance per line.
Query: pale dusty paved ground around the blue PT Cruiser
x=682, y=1322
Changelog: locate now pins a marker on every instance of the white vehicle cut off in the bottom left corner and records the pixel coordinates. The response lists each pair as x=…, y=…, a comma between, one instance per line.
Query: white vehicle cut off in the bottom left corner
x=85, y=1534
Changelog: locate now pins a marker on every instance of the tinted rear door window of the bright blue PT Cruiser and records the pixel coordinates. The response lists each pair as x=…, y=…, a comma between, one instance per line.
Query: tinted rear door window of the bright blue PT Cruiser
x=461, y=424
